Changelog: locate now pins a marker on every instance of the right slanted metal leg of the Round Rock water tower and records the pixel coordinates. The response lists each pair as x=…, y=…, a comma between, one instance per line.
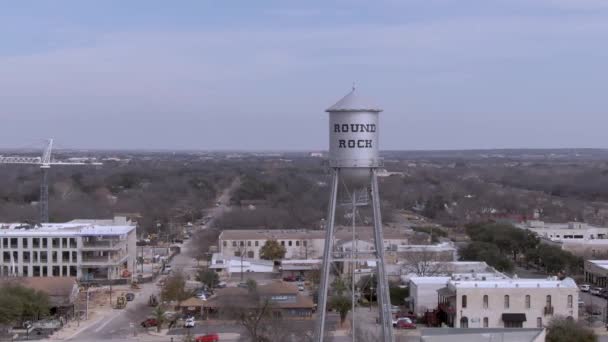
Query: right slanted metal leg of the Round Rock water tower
x=384, y=299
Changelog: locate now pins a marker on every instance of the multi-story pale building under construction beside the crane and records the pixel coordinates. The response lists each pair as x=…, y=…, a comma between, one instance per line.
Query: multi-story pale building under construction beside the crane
x=86, y=251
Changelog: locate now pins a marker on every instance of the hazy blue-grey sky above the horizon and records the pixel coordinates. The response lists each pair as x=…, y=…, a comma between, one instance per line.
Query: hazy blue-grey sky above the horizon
x=259, y=74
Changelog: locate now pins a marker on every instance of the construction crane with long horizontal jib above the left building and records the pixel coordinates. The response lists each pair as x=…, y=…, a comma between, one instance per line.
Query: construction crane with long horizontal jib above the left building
x=45, y=163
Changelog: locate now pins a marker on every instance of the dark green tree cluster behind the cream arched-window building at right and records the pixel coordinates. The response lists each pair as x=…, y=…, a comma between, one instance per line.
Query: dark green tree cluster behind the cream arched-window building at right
x=503, y=246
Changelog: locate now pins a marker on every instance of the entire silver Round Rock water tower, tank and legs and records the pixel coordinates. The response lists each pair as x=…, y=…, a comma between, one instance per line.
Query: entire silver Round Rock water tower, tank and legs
x=354, y=160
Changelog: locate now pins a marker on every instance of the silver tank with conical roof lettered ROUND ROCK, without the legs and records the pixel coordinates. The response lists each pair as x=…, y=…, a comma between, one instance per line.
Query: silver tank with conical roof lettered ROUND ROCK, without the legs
x=353, y=138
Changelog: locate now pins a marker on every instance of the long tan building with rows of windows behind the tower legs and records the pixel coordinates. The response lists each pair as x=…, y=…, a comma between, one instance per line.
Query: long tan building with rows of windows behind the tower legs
x=298, y=243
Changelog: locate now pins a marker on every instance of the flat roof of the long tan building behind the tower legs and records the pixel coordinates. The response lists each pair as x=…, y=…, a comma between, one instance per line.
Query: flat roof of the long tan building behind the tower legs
x=342, y=233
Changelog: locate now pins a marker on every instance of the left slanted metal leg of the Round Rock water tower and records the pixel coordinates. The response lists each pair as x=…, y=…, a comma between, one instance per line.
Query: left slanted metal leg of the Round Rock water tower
x=327, y=259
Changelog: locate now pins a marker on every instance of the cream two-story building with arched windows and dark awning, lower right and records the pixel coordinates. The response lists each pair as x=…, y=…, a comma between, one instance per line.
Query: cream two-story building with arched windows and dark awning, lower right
x=507, y=303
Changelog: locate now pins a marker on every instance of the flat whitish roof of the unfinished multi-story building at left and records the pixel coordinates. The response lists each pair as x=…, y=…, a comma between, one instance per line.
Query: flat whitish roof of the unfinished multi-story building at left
x=61, y=229
